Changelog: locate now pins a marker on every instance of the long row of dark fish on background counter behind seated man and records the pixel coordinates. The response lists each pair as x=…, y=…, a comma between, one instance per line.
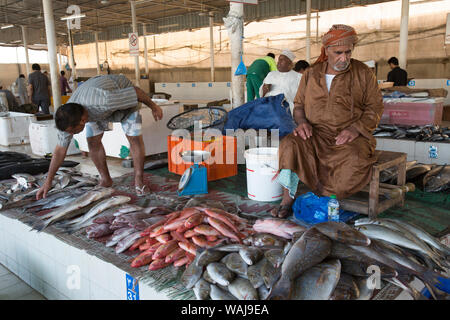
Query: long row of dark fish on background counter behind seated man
x=419, y=133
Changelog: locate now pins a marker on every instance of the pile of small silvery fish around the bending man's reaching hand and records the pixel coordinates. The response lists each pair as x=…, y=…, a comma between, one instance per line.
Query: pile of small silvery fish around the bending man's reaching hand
x=23, y=187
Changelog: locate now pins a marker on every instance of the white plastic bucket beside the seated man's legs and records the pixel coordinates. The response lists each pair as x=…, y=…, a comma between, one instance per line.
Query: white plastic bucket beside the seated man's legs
x=262, y=166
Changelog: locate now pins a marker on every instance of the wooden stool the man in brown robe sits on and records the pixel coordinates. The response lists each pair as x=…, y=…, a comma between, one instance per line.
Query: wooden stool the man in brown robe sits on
x=374, y=205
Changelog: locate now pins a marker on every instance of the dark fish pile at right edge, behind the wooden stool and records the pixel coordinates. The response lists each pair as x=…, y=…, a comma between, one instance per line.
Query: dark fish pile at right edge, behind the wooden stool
x=430, y=178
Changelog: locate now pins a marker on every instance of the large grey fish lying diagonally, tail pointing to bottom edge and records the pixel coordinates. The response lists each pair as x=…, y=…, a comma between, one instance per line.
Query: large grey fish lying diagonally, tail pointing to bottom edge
x=309, y=250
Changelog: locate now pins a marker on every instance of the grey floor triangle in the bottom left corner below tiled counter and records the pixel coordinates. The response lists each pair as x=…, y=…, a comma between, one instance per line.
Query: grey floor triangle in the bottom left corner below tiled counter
x=13, y=288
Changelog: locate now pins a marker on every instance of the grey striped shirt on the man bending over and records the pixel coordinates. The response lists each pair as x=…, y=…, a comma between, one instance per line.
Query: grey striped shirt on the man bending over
x=107, y=98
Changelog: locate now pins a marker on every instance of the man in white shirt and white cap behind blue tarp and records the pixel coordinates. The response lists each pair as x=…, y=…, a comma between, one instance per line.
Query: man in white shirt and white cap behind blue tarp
x=284, y=80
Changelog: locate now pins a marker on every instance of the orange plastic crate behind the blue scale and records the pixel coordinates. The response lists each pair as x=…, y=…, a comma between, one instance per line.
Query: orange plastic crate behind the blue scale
x=223, y=161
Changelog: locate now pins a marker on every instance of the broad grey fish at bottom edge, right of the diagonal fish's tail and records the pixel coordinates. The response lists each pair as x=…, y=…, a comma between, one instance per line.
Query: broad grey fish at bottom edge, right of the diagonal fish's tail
x=318, y=282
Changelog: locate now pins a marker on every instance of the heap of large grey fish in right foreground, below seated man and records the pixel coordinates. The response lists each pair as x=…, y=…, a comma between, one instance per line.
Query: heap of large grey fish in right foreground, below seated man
x=328, y=261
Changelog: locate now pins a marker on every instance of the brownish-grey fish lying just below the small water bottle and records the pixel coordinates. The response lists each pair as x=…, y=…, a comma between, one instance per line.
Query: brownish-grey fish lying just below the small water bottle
x=342, y=232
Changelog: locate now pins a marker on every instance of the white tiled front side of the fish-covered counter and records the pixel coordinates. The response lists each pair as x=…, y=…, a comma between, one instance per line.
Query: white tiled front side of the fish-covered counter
x=50, y=266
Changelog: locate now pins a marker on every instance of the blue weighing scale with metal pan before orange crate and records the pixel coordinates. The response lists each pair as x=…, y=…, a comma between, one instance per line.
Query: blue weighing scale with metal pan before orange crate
x=195, y=179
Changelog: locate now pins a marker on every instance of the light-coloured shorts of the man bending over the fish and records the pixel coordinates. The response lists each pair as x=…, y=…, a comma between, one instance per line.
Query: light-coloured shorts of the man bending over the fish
x=131, y=125
